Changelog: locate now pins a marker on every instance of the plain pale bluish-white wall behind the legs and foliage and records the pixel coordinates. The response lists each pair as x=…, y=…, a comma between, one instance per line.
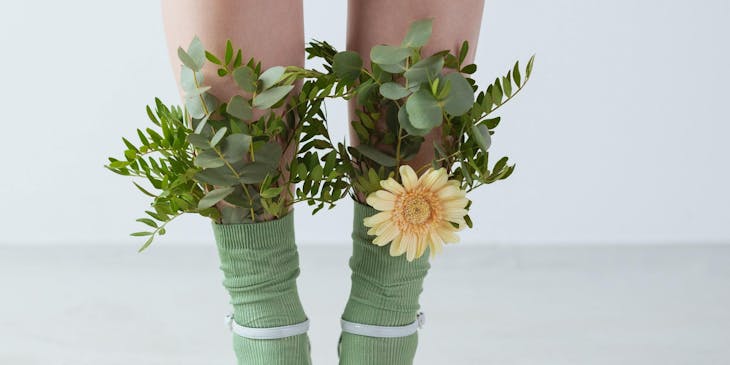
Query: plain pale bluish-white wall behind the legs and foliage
x=620, y=137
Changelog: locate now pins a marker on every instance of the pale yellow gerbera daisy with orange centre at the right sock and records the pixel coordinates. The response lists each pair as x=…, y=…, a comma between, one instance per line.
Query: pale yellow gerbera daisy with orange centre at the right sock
x=417, y=214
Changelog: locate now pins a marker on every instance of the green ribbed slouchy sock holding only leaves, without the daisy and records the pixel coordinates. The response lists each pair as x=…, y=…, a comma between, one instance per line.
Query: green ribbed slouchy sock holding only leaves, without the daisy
x=260, y=264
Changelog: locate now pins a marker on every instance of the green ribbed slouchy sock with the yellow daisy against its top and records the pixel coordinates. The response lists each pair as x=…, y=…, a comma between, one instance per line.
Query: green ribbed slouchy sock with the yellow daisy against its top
x=384, y=292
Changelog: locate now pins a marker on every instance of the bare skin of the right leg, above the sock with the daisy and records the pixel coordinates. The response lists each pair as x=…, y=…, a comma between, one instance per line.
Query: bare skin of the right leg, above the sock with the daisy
x=373, y=22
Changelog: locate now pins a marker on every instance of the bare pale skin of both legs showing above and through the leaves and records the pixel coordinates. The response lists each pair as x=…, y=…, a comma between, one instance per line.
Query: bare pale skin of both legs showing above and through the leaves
x=273, y=32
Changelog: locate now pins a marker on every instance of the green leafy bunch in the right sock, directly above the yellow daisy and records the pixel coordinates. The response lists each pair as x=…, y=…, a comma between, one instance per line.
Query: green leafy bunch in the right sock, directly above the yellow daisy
x=403, y=96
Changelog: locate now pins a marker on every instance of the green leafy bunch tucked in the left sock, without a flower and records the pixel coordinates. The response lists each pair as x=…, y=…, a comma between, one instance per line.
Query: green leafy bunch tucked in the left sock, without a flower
x=225, y=159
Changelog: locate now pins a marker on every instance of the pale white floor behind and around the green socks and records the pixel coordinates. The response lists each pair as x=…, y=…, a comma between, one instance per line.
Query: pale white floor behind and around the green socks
x=485, y=305
